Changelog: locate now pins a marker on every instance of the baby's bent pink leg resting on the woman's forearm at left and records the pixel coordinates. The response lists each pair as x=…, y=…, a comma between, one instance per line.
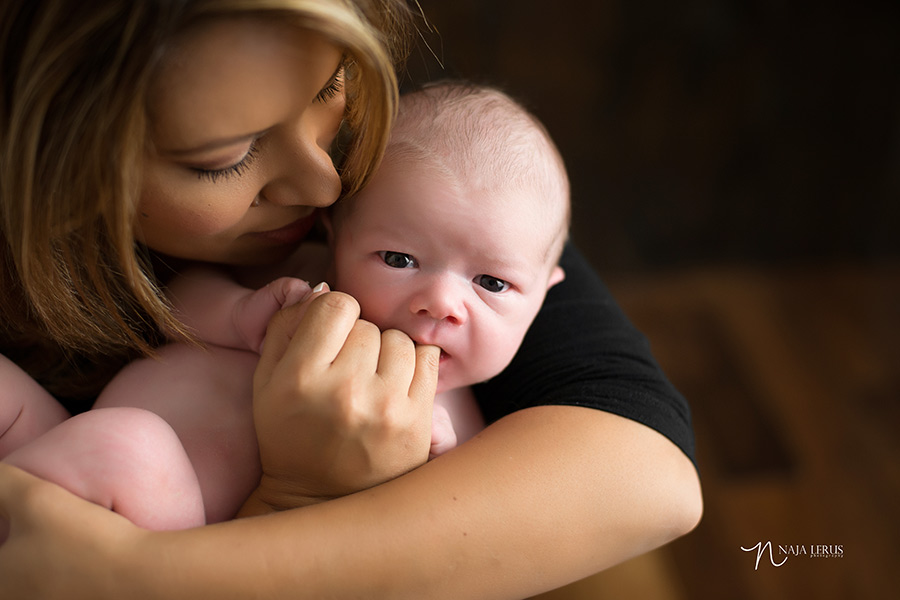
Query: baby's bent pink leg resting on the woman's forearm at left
x=125, y=459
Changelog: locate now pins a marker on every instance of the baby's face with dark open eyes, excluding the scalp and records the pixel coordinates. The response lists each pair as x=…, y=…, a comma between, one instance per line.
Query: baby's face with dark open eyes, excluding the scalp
x=464, y=272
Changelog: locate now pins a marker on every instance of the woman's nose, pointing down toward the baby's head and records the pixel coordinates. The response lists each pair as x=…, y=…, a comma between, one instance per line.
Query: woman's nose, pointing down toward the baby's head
x=303, y=172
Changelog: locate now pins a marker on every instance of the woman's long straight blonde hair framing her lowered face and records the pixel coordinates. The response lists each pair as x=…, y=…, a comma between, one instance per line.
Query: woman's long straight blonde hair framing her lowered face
x=74, y=285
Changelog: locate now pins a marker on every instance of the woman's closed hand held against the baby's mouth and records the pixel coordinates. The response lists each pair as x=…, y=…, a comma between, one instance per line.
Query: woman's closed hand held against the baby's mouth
x=338, y=405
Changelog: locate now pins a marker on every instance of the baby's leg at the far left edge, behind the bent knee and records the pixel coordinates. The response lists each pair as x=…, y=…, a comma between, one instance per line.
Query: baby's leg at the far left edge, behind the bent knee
x=26, y=409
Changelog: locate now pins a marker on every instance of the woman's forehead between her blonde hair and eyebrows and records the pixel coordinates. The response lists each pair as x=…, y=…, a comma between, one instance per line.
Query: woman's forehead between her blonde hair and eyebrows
x=234, y=77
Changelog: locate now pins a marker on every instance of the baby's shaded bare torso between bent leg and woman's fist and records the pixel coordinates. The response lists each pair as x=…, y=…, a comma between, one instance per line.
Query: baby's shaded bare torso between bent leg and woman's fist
x=206, y=396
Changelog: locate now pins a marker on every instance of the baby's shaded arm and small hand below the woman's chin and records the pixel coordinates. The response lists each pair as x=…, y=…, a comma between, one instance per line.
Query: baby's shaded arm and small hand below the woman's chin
x=225, y=313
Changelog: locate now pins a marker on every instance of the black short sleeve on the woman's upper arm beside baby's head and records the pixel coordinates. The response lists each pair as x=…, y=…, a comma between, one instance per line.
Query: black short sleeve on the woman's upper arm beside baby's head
x=582, y=350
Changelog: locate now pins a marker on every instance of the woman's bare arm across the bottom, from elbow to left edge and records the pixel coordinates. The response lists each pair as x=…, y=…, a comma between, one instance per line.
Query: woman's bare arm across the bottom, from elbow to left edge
x=543, y=496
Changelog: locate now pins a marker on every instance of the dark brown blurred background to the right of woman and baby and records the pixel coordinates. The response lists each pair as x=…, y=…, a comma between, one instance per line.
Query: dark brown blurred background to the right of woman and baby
x=736, y=176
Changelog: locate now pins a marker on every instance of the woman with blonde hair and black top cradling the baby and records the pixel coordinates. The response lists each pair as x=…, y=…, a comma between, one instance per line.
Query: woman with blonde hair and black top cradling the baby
x=200, y=131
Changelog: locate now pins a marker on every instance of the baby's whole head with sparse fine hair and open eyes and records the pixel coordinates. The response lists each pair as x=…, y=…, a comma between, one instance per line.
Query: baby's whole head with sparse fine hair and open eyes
x=456, y=239
